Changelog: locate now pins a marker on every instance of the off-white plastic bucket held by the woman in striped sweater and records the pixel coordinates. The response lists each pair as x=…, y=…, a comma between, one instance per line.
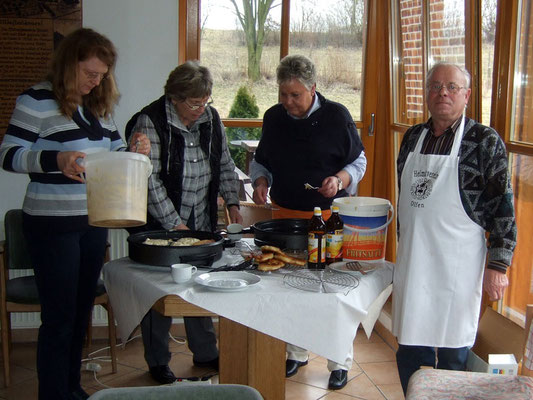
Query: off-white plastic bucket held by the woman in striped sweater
x=117, y=188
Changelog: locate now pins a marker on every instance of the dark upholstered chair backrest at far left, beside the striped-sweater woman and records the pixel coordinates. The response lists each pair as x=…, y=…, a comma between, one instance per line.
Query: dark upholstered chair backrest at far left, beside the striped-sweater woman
x=18, y=255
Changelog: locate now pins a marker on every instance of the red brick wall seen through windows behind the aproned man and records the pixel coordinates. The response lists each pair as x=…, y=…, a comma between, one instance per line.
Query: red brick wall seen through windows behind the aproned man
x=446, y=42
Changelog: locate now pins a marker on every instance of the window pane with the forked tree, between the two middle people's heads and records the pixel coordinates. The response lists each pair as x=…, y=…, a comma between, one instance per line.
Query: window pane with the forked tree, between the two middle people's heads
x=223, y=50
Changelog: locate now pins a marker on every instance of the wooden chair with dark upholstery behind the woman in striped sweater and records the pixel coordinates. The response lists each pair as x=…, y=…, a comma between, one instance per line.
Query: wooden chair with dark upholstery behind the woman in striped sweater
x=20, y=294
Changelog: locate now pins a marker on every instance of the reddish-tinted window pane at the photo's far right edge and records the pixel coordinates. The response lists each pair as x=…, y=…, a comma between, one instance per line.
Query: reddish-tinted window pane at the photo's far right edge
x=522, y=125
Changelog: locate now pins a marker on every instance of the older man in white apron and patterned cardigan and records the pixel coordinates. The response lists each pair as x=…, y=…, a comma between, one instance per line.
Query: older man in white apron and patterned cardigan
x=454, y=187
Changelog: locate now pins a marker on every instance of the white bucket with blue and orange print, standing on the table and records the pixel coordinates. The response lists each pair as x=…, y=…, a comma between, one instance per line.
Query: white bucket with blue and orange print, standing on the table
x=365, y=227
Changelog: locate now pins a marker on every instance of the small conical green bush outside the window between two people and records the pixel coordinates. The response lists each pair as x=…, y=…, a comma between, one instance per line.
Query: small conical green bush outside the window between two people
x=244, y=106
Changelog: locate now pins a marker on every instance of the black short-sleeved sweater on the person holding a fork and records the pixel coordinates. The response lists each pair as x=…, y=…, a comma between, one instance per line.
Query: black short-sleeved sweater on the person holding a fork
x=299, y=151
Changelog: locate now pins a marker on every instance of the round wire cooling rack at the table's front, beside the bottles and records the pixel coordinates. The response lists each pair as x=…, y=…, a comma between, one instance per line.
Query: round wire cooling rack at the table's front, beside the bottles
x=321, y=281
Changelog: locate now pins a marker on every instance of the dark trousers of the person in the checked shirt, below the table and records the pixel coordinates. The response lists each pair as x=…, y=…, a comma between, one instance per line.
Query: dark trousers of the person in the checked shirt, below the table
x=200, y=332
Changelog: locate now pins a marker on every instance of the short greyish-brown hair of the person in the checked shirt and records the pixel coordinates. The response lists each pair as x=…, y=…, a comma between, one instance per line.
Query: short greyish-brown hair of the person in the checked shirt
x=189, y=80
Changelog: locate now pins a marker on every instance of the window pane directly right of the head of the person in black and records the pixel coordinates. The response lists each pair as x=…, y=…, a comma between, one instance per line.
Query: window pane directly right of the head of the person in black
x=331, y=34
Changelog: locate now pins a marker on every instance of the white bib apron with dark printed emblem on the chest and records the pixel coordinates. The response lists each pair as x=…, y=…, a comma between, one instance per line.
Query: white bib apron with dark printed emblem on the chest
x=441, y=254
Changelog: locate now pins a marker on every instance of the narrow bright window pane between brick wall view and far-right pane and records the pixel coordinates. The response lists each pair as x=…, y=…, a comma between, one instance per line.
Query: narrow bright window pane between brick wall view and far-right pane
x=488, y=28
